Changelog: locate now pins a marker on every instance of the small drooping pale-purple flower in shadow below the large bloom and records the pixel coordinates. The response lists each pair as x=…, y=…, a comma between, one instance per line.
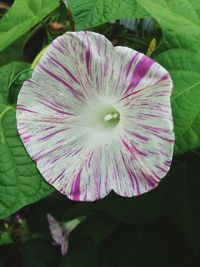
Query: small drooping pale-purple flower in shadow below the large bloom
x=60, y=231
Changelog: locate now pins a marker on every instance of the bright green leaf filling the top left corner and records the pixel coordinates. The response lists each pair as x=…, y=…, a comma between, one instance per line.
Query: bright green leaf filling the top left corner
x=21, y=17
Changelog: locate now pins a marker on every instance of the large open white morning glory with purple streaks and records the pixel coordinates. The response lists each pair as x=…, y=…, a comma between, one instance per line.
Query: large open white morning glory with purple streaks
x=97, y=118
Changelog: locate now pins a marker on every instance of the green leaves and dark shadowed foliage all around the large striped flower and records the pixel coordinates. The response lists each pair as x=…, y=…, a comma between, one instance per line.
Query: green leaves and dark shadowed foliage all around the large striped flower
x=117, y=231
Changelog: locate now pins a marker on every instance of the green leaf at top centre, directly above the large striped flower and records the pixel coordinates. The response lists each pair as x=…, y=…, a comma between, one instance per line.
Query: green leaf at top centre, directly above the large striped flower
x=91, y=13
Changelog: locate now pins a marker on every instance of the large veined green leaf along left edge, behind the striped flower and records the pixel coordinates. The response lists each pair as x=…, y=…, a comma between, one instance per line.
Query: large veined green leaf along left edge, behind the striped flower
x=20, y=181
